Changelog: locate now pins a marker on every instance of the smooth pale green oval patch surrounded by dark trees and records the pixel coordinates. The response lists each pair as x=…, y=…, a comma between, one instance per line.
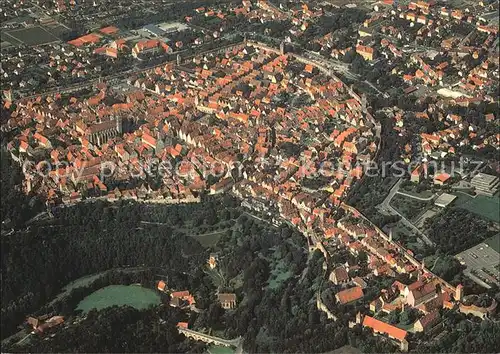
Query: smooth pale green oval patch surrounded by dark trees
x=131, y=295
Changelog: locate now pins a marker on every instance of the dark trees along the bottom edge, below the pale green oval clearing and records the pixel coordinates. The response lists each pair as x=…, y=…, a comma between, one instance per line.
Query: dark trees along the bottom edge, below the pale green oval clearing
x=118, y=330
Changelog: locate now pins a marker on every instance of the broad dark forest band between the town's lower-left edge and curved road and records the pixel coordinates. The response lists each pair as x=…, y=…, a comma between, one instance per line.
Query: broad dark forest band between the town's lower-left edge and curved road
x=37, y=262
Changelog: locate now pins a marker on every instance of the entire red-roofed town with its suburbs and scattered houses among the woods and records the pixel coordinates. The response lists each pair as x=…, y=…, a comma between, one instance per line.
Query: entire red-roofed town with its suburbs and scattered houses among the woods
x=286, y=106
